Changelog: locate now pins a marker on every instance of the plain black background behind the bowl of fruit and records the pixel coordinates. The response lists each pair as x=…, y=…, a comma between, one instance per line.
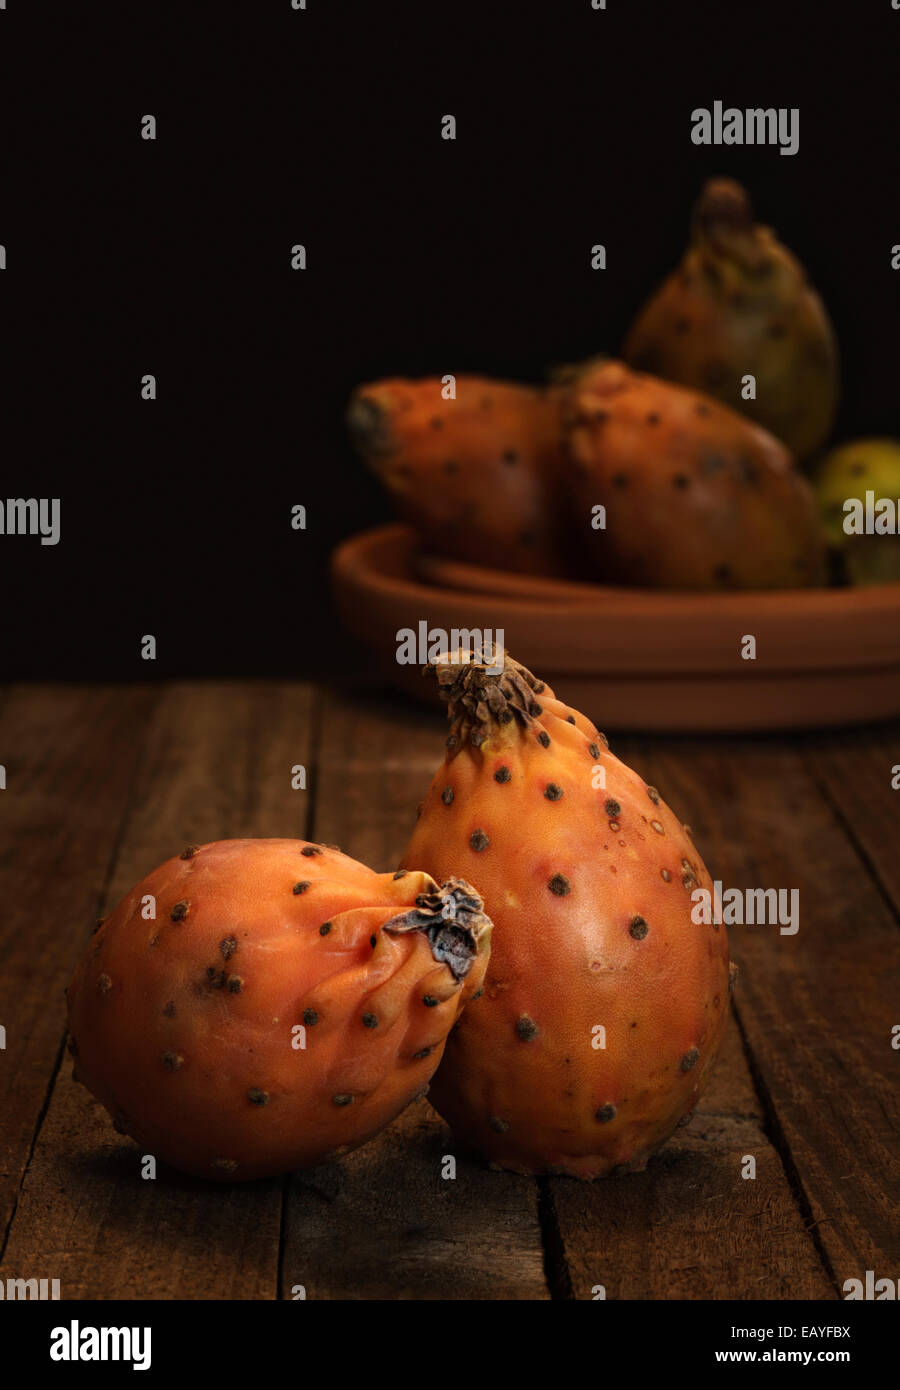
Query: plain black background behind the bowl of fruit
x=426, y=256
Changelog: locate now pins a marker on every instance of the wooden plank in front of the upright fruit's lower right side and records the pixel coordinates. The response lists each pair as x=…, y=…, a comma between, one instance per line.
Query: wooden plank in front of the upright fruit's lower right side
x=691, y=1227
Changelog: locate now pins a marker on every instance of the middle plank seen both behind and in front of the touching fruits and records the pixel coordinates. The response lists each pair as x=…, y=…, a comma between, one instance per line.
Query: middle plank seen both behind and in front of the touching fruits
x=385, y=1224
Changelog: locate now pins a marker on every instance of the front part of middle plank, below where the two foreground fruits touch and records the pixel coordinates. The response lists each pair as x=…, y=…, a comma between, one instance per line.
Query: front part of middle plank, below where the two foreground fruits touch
x=411, y=1218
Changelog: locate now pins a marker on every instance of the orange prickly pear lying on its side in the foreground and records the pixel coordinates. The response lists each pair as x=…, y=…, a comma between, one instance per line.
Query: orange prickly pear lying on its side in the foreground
x=186, y=1027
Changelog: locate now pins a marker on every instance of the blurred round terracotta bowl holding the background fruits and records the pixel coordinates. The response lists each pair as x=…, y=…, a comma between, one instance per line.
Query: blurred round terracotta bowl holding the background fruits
x=639, y=660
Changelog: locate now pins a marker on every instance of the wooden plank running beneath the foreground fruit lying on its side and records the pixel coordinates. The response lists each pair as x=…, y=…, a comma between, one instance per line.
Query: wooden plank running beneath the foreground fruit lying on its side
x=216, y=765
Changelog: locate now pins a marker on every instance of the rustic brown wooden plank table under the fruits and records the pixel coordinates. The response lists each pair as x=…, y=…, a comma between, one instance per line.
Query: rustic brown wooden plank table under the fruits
x=106, y=782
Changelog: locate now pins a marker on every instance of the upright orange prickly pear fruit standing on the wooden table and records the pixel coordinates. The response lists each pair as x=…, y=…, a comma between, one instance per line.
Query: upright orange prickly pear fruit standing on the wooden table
x=604, y=1003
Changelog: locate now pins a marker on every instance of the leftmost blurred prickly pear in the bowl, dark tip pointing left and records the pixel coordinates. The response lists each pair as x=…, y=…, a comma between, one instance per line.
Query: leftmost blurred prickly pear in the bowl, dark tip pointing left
x=472, y=476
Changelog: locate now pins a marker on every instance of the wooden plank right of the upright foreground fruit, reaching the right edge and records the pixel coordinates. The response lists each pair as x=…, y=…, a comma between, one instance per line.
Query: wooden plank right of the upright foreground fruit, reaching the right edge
x=817, y=1008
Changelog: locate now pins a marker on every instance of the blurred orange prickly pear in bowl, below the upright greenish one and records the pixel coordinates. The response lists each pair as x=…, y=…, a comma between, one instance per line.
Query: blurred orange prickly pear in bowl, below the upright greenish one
x=696, y=496
